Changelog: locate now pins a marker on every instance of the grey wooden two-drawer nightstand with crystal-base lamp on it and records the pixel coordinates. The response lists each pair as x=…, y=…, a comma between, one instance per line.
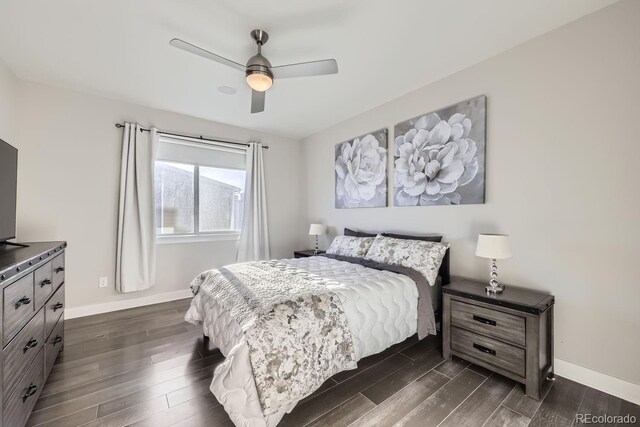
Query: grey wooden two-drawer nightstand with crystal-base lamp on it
x=510, y=333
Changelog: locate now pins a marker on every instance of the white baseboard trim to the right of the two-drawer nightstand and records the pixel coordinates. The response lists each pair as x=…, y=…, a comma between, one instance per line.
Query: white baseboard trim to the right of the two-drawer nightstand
x=612, y=385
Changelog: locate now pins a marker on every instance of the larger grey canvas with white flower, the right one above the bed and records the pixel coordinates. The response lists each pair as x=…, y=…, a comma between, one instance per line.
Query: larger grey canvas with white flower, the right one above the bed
x=439, y=157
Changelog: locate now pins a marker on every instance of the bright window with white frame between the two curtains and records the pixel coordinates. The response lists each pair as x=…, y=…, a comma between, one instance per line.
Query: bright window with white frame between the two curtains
x=198, y=201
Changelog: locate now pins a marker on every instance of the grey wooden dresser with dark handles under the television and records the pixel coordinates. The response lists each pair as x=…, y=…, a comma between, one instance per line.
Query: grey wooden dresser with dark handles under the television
x=32, y=324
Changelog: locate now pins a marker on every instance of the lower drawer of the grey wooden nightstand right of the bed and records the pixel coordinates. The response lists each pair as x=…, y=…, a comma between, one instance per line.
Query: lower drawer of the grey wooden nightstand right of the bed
x=496, y=353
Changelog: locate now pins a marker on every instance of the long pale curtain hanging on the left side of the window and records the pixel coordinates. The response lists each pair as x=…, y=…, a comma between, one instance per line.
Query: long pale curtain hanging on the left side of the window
x=135, y=252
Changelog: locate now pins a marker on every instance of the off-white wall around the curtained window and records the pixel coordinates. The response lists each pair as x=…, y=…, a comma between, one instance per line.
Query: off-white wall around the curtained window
x=69, y=180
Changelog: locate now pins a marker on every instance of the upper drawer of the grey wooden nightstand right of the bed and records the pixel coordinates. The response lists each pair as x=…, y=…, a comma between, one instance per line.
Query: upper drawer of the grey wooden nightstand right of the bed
x=505, y=327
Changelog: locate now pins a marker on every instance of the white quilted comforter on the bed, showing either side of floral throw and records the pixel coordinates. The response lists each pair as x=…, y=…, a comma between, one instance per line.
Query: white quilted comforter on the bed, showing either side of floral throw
x=381, y=308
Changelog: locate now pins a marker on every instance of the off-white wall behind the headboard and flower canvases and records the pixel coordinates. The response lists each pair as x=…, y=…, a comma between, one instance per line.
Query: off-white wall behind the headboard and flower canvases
x=562, y=151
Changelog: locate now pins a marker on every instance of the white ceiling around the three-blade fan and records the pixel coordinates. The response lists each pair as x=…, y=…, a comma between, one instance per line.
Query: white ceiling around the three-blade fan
x=384, y=49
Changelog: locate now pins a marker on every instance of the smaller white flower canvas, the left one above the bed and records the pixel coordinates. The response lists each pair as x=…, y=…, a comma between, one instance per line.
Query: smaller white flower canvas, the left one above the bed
x=361, y=171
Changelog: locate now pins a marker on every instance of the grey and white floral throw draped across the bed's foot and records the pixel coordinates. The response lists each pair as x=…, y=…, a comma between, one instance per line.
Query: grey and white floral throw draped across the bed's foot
x=295, y=328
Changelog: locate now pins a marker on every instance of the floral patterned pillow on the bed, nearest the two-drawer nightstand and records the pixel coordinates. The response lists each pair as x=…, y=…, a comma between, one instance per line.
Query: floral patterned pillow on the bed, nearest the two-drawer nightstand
x=422, y=256
